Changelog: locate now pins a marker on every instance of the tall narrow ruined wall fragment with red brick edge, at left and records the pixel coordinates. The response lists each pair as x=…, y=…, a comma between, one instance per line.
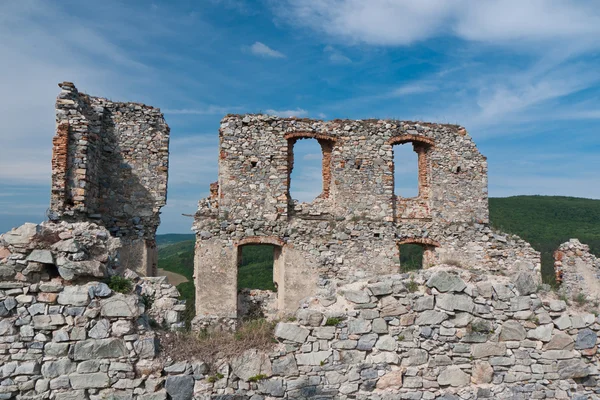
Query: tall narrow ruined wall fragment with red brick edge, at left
x=110, y=165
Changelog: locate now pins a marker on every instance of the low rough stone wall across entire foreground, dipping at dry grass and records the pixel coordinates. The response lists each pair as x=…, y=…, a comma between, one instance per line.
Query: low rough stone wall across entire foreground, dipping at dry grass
x=440, y=333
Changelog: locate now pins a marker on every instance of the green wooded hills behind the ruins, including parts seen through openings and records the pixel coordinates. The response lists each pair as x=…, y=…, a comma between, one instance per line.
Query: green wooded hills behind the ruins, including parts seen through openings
x=544, y=221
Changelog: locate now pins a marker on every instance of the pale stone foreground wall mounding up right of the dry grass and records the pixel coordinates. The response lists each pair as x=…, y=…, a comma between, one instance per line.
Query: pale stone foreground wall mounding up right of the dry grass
x=441, y=334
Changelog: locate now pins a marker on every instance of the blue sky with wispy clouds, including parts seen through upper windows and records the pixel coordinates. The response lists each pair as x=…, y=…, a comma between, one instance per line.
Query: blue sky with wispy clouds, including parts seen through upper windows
x=522, y=76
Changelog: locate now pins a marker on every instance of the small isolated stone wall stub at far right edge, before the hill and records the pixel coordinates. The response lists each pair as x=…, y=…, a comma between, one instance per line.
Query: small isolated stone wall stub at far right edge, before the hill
x=577, y=271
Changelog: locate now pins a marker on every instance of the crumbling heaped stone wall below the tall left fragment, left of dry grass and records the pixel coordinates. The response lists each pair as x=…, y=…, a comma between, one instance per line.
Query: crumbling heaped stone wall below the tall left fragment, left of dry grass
x=64, y=333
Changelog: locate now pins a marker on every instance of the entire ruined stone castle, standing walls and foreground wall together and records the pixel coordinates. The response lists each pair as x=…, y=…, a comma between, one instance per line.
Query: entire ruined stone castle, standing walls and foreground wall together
x=473, y=323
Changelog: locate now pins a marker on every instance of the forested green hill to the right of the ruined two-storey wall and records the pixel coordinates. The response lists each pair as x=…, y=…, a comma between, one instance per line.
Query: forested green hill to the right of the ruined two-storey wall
x=548, y=221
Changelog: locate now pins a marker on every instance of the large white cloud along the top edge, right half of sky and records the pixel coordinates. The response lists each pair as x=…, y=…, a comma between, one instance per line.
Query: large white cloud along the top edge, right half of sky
x=403, y=22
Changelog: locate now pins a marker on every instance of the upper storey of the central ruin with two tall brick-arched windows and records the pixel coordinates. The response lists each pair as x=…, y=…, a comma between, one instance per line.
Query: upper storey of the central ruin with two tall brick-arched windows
x=358, y=165
